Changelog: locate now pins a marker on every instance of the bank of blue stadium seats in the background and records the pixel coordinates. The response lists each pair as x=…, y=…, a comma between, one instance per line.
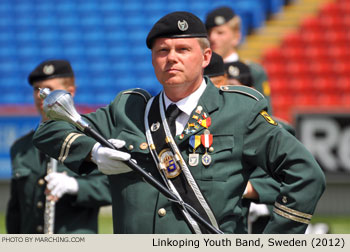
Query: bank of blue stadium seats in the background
x=103, y=39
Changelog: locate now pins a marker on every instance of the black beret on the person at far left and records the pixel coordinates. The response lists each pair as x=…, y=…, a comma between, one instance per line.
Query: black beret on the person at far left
x=51, y=69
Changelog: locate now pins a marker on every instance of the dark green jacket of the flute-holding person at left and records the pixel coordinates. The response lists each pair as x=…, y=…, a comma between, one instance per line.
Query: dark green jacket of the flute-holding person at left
x=73, y=214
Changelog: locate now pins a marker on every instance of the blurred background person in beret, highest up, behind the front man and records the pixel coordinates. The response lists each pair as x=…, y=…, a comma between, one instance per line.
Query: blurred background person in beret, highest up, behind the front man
x=224, y=29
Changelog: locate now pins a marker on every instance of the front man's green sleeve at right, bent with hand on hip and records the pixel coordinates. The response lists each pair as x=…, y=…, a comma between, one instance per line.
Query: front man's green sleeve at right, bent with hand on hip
x=283, y=157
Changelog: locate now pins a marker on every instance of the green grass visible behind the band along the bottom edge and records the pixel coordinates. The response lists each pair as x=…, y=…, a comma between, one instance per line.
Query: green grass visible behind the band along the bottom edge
x=338, y=224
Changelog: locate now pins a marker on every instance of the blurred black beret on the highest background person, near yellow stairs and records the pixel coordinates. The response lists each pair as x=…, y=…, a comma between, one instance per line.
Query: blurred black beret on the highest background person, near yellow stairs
x=218, y=17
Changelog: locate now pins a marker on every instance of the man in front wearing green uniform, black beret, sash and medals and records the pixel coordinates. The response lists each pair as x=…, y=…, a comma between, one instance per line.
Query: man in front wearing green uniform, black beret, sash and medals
x=201, y=141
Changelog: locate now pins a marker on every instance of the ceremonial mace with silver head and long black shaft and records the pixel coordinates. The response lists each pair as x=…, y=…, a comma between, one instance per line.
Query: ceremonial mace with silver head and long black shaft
x=58, y=105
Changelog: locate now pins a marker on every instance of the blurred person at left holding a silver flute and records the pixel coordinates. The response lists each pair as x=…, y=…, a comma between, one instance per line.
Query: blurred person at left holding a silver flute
x=78, y=198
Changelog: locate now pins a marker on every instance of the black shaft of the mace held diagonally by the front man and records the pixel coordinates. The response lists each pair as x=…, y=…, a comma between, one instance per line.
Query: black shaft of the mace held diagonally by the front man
x=152, y=181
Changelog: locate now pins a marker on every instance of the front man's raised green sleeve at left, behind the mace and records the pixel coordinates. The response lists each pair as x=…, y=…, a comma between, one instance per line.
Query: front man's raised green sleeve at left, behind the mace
x=71, y=147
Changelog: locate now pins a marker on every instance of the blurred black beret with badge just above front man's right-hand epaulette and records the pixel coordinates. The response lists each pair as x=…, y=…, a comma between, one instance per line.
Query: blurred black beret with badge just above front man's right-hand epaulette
x=239, y=71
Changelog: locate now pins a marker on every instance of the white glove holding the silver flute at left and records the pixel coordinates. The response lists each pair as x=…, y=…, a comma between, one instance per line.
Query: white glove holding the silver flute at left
x=60, y=184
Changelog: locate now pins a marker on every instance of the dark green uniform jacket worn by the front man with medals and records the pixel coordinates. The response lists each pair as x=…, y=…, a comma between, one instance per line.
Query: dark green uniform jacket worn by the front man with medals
x=243, y=138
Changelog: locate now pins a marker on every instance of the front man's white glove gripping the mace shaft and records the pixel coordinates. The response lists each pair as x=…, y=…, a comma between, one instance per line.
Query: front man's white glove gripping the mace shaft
x=109, y=161
